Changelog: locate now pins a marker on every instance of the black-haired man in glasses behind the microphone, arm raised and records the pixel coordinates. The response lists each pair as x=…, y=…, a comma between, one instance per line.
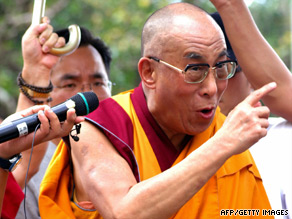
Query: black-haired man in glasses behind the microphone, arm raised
x=87, y=68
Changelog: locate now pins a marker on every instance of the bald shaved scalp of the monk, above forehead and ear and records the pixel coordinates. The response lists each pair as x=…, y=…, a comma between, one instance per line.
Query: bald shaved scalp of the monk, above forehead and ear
x=173, y=19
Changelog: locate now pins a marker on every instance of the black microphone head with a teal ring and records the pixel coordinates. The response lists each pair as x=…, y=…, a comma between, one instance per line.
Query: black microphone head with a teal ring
x=85, y=102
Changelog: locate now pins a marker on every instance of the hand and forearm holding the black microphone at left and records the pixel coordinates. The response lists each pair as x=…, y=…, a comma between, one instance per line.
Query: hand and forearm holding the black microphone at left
x=50, y=128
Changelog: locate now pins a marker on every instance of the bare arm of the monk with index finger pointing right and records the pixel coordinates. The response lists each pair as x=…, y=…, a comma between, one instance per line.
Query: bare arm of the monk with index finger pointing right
x=113, y=189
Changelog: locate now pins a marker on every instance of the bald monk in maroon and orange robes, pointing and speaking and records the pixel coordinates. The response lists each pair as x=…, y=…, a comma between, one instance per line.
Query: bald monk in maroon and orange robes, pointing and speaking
x=161, y=150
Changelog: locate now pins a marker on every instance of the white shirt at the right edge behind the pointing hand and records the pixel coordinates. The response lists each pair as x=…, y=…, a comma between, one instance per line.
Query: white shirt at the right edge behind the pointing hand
x=273, y=157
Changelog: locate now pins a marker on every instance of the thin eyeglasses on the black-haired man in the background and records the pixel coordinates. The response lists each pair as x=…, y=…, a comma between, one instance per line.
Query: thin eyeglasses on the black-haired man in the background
x=97, y=87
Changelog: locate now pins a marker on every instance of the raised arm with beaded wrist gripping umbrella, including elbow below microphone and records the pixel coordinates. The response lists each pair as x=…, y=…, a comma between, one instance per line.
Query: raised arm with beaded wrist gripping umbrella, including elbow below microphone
x=37, y=64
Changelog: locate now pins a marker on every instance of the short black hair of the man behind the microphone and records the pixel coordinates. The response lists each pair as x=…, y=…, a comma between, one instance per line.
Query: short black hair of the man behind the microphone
x=88, y=39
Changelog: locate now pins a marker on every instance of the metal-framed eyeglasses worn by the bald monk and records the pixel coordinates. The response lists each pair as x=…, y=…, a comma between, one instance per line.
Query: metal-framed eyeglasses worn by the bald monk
x=196, y=73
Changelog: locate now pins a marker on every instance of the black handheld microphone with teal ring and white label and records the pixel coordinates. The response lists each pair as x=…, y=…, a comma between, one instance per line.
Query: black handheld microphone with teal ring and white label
x=84, y=103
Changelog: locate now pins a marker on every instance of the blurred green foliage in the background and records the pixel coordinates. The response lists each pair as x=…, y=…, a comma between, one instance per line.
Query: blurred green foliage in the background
x=119, y=24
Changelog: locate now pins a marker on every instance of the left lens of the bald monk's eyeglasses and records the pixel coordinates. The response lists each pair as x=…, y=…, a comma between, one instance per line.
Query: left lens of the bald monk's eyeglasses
x=196, y=73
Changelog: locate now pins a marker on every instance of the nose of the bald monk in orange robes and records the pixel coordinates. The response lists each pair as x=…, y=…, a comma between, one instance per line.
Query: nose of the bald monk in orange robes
x=209, y=85
